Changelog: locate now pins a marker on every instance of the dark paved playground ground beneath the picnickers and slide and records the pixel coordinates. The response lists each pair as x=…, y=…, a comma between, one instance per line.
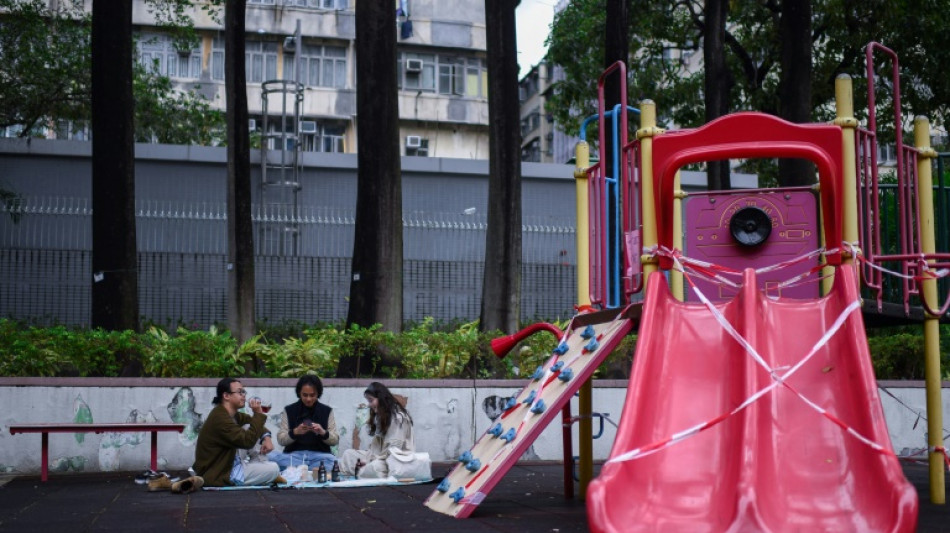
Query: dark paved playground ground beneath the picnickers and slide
x=530, y=498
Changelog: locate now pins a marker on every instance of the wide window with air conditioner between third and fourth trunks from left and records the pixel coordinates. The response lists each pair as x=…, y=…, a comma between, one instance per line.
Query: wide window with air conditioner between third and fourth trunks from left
x=443, y=74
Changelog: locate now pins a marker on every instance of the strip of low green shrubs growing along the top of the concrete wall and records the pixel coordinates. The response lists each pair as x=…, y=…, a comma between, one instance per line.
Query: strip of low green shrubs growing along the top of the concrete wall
x=423, y=350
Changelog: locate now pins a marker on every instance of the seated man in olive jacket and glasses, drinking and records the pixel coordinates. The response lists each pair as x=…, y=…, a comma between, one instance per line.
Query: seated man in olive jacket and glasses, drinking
x=216, y=453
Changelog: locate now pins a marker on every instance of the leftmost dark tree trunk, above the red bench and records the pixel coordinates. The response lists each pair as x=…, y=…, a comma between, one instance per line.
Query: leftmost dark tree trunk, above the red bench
x=115, y=303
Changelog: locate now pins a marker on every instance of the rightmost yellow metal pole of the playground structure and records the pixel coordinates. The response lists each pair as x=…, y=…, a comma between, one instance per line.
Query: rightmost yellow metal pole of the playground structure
x=931, y=322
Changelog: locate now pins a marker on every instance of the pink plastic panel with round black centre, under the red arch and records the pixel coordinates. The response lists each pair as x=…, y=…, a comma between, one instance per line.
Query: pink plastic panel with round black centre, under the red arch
x=794, y=215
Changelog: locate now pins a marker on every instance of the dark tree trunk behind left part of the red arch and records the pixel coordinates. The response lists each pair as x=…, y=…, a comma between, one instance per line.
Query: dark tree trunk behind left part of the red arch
x=717, y=82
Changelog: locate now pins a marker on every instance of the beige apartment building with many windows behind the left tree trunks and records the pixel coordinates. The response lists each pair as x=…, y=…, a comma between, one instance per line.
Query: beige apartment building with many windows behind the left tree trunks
x=442, y=75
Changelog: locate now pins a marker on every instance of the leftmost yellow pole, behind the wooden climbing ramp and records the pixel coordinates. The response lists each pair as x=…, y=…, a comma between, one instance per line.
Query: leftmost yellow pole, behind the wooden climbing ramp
x=585, y=428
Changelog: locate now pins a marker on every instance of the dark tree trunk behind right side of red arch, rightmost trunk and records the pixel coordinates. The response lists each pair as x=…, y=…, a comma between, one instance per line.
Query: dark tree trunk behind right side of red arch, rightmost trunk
x=794, y=91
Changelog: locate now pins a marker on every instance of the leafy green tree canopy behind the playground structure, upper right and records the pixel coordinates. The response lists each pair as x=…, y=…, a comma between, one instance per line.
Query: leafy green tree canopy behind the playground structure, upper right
x=753, y=52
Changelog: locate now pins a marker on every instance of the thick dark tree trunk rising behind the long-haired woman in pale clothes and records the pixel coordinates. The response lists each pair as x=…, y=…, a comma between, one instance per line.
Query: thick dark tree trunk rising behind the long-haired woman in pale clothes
x=376, y=285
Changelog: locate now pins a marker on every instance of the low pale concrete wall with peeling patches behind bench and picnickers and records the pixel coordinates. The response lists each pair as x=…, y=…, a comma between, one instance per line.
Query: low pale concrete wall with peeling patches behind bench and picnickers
x=449, y=415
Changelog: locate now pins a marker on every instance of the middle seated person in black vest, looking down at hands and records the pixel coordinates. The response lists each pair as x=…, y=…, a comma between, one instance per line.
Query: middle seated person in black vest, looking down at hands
x=307, y=429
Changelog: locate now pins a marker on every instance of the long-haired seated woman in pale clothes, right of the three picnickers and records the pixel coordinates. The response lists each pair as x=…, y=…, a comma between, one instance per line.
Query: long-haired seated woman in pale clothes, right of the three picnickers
x=391, y=428
